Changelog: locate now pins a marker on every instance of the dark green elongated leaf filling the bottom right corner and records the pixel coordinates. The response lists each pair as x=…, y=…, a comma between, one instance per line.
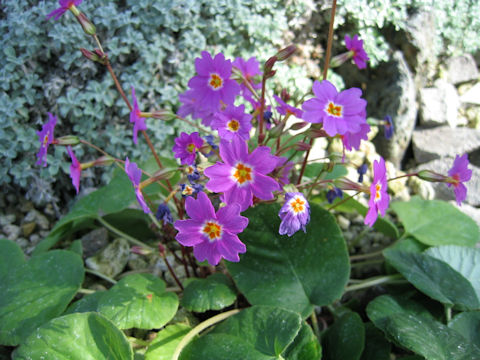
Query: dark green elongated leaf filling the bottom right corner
x=418, y=333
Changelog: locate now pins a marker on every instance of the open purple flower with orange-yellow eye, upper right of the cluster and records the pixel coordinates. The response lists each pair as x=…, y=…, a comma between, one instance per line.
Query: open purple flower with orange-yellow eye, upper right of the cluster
x=340, y=113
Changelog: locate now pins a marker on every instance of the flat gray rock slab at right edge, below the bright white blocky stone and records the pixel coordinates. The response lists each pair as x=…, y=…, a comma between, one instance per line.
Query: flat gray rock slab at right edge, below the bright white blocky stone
x=431, y=144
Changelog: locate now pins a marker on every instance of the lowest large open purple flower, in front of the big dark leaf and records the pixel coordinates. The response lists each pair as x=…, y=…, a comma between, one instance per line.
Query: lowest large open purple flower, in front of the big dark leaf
x=212, y=235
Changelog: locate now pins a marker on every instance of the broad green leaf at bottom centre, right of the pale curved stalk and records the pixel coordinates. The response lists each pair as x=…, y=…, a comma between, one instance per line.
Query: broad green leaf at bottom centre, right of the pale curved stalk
x=256, y=333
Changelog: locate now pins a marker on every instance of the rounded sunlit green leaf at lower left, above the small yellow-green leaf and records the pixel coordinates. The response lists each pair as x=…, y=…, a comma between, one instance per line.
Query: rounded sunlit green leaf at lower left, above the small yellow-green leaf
x=139, y=301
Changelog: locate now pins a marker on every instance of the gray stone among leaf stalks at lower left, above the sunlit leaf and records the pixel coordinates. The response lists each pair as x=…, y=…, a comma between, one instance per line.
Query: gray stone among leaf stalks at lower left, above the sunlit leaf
x=112, y=259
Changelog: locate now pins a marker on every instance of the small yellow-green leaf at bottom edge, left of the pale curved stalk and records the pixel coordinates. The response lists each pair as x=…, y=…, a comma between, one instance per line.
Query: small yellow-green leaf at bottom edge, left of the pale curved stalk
x=164, y=345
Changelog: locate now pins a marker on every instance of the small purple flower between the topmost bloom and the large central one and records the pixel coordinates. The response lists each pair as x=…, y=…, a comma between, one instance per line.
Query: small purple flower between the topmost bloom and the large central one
x=233, y=121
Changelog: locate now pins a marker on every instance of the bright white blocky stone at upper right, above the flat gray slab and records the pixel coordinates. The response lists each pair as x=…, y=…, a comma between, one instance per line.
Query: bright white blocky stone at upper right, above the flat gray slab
x=439, y=105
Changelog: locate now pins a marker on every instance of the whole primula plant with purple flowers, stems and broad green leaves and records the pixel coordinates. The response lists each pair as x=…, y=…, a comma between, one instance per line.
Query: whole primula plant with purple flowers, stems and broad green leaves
x=249, y=215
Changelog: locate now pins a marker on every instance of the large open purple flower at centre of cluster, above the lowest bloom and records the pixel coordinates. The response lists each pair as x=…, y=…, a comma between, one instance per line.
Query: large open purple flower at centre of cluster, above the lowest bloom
x=242, y=175
